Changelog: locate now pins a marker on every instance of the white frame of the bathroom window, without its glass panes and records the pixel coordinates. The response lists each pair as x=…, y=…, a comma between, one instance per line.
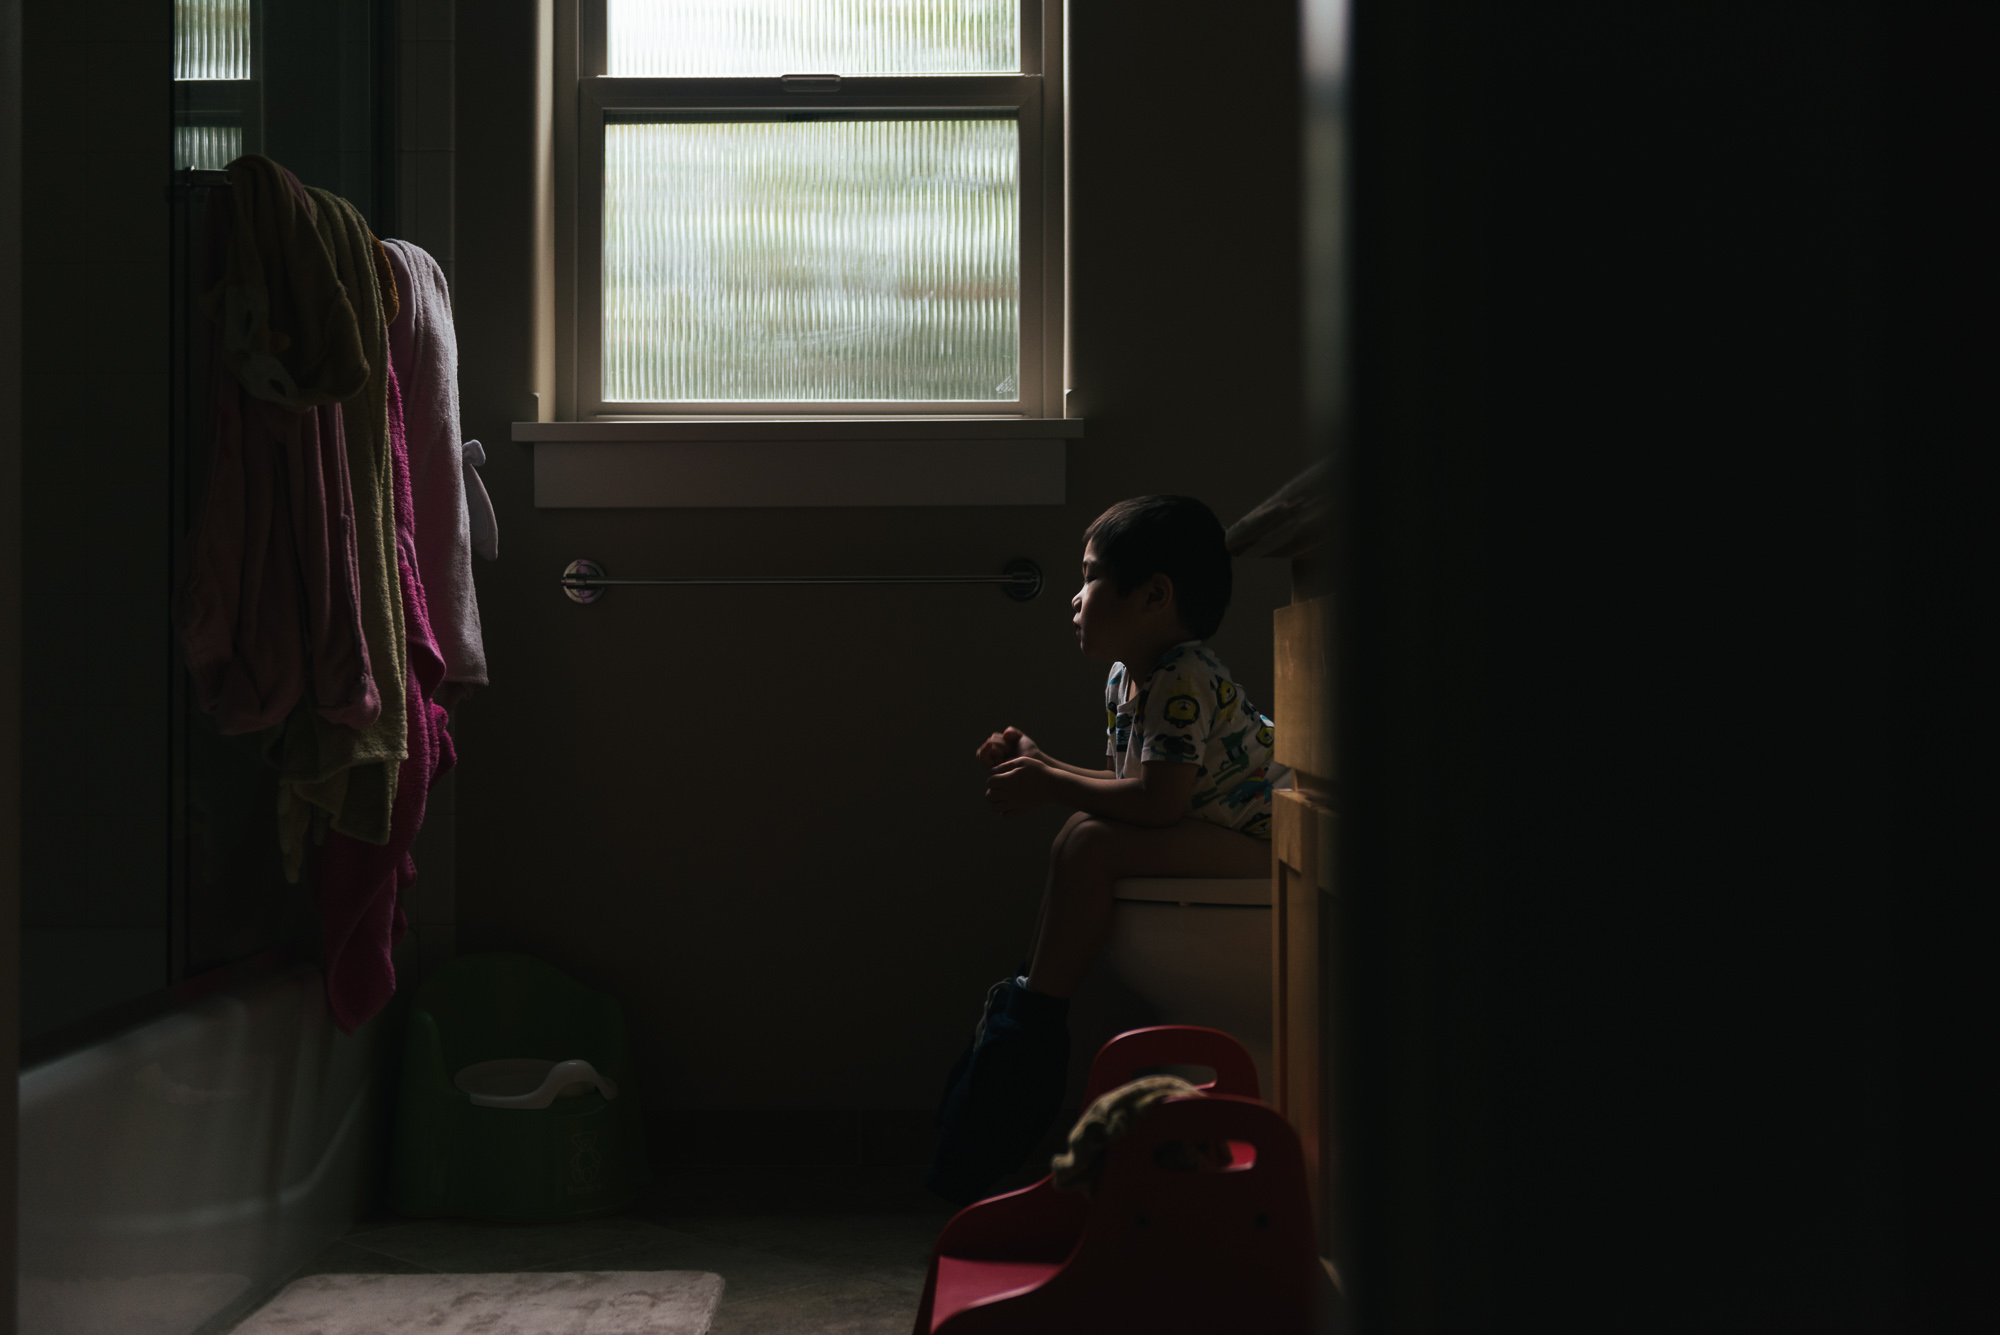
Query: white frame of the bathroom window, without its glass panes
x=1033, y=97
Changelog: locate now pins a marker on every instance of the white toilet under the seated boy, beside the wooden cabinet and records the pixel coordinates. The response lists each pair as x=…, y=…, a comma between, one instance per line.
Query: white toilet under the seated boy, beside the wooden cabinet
x=1183, y=952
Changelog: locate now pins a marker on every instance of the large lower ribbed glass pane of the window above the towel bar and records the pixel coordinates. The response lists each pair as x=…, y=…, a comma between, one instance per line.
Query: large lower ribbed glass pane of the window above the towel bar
x=813, y=261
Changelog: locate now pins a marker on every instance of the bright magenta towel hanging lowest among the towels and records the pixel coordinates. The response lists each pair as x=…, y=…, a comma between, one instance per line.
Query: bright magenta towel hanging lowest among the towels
x=361, y=884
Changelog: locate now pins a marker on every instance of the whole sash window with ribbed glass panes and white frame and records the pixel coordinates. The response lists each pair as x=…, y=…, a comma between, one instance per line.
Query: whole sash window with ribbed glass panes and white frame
x=817, y=209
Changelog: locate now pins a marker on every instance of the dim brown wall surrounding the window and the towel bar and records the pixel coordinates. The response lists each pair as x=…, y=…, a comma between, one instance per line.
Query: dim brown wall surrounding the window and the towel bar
x=755, y=816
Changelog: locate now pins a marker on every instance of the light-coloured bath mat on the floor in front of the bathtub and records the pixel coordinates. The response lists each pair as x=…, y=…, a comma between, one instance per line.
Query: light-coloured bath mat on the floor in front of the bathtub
x=523, y=1304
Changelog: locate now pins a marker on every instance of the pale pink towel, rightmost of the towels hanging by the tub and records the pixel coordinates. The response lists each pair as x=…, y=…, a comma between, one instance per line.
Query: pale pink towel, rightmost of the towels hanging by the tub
x=425, y=355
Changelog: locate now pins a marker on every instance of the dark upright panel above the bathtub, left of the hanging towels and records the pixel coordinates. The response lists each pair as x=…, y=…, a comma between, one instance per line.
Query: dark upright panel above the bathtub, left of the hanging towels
x=97, y=503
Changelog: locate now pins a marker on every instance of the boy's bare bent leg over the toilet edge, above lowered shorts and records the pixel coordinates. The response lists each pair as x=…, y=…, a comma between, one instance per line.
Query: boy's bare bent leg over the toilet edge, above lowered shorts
x=1091, y=854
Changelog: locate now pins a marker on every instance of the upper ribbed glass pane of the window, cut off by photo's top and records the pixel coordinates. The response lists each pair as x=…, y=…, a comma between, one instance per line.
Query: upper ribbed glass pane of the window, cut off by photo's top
x=691, y=39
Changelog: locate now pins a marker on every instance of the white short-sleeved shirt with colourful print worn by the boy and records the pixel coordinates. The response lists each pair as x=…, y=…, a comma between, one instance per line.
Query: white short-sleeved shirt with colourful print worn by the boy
x=1191, y=712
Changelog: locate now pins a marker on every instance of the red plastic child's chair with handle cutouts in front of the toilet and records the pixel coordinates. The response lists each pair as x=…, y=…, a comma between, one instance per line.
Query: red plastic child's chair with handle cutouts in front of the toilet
x=1171, y=1250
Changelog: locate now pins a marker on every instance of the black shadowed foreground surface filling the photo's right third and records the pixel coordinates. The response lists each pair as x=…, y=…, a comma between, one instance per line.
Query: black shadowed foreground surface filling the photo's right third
x=1657, y=517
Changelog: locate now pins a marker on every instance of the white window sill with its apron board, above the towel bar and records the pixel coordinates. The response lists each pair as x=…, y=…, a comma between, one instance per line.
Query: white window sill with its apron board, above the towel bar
x=669, y=465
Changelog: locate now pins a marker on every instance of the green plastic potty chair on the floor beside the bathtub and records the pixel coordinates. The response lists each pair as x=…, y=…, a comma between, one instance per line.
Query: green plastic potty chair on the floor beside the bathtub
x=517, y=1098
